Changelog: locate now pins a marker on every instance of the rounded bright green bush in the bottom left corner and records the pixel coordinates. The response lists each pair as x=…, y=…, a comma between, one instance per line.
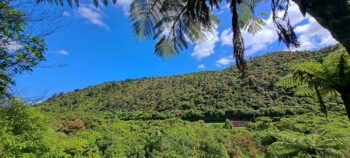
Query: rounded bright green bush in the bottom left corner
x=22, y=131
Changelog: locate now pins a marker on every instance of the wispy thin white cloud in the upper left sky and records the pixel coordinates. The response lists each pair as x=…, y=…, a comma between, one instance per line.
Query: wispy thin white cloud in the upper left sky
x=92, y=14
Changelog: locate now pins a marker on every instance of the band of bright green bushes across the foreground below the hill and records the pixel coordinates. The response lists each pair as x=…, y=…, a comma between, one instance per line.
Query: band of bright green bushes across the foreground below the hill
x=27, y=133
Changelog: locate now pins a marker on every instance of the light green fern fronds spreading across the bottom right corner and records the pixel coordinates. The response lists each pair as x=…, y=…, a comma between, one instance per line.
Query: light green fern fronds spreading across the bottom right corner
x=303, y=136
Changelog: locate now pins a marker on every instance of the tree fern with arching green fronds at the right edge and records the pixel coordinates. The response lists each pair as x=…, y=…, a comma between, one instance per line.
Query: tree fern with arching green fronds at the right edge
x=332, y=75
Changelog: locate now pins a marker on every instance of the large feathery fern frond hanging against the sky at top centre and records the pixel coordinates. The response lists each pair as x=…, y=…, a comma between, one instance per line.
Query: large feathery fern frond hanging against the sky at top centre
x=172, y=23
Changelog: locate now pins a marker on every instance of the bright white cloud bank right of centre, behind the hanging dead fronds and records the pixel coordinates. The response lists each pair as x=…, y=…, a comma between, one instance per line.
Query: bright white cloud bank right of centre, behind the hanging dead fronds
x=310, y=34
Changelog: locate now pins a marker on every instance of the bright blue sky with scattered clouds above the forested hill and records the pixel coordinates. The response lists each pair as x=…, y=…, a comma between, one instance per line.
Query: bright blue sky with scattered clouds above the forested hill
x=98, y=46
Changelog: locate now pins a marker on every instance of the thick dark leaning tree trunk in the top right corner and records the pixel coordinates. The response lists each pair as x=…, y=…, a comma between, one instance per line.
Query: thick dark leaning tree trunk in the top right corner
x=333, y=15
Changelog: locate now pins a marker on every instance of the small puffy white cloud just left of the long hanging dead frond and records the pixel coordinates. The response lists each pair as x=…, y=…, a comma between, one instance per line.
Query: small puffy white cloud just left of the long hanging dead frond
x=205, y=48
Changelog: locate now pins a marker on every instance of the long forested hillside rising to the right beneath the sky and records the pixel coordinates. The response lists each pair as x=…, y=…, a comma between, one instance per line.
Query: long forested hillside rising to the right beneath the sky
x=210, y=96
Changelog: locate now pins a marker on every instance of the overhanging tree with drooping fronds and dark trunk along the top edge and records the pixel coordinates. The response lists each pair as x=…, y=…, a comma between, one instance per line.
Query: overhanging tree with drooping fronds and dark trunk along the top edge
x=154, y=18
